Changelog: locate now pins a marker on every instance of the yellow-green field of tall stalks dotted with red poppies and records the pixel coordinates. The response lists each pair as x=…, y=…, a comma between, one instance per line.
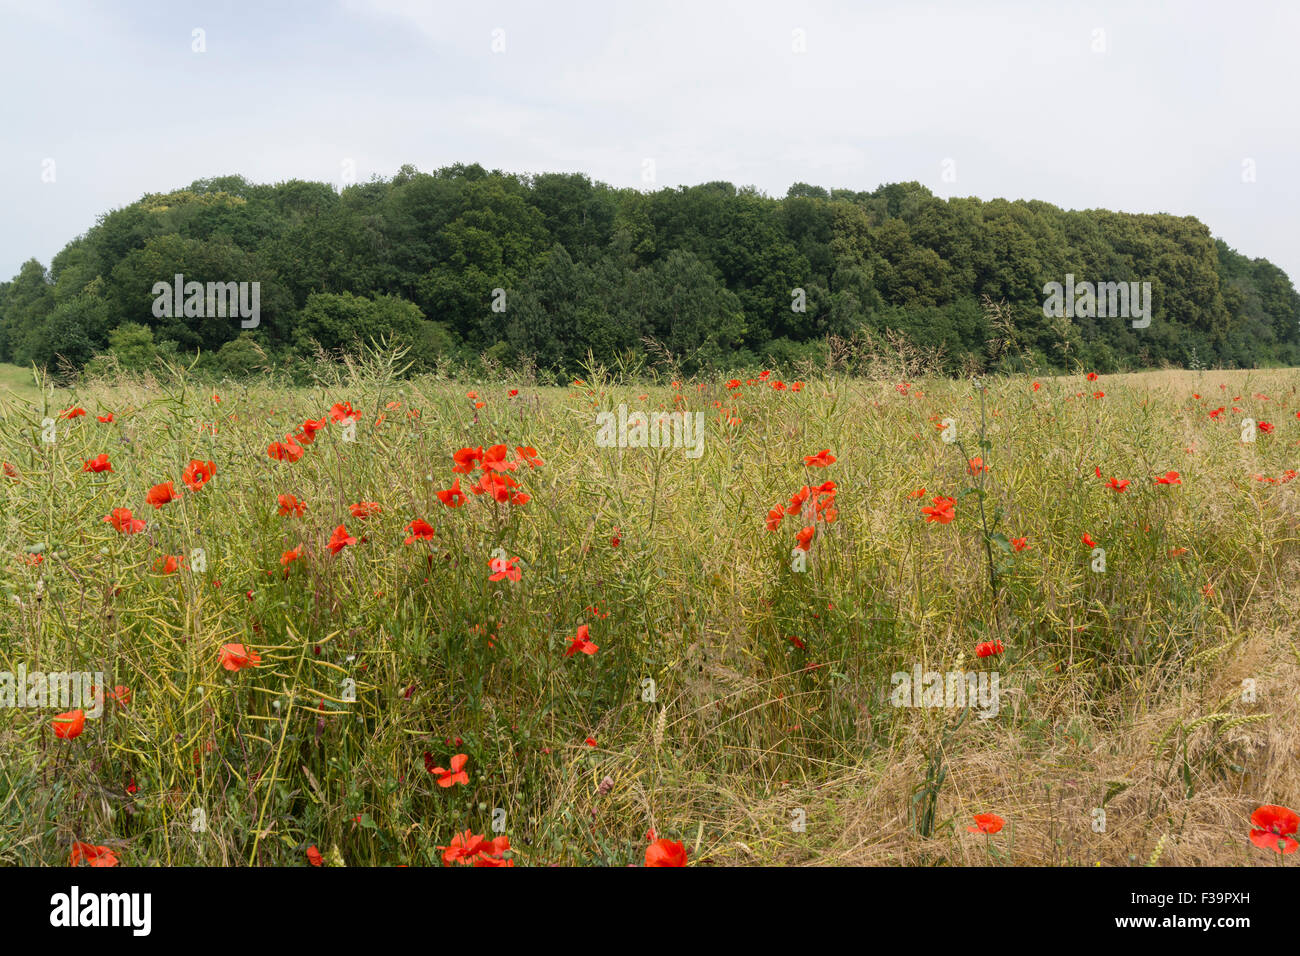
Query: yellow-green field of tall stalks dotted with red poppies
x=731, y=693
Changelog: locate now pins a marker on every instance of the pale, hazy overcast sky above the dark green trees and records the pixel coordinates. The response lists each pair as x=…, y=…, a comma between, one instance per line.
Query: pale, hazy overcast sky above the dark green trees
x=1188, y=109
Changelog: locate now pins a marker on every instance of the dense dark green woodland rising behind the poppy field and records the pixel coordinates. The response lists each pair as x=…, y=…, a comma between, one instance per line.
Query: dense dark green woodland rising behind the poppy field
x=705, y=274
